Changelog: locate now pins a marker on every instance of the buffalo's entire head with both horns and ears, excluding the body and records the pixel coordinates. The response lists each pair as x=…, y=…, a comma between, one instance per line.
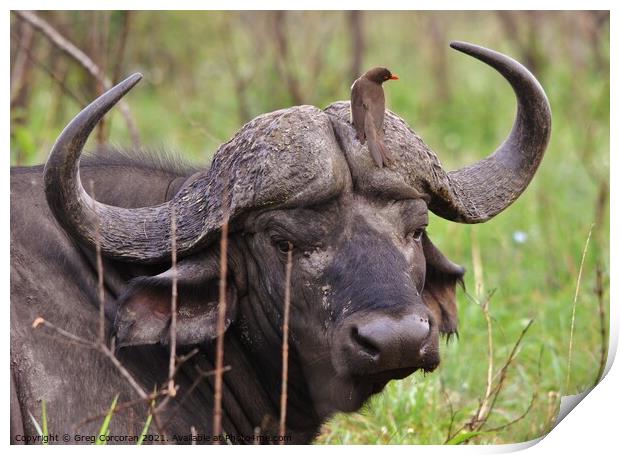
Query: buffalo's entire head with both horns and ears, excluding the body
x=370, y=293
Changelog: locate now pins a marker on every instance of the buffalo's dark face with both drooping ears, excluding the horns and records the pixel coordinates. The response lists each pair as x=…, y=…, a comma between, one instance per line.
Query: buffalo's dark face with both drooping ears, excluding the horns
x=370, y=295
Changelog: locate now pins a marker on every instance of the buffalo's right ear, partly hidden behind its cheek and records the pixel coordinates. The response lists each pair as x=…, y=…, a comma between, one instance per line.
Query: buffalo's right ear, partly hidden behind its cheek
x=439, y=295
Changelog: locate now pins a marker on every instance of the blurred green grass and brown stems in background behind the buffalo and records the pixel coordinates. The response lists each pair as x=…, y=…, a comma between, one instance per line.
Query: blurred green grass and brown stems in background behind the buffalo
x=206, y=73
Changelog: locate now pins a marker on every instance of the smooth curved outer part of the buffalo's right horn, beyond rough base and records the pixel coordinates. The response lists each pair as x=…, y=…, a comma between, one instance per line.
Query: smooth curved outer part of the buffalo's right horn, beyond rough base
x=482, y=190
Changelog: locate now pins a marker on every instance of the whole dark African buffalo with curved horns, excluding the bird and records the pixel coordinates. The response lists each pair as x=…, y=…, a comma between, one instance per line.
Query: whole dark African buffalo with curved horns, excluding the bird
x=370, y=293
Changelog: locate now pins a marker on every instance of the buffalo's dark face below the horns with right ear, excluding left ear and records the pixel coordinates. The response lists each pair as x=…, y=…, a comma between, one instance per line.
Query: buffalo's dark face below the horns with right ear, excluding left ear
x=367, y=305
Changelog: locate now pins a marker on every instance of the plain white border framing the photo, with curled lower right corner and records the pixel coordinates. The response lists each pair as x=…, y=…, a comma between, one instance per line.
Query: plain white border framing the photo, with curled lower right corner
x=592, y=426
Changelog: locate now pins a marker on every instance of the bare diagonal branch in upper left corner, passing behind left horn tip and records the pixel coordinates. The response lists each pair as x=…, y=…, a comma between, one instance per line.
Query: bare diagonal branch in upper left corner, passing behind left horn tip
x=84, y=60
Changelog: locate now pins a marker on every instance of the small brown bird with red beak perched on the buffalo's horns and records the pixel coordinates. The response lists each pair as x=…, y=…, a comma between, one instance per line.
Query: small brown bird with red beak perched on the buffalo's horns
x=368, y=109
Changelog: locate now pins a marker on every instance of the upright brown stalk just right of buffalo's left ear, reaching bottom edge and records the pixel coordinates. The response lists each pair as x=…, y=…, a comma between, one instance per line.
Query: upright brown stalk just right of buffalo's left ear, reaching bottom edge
x=221, y=323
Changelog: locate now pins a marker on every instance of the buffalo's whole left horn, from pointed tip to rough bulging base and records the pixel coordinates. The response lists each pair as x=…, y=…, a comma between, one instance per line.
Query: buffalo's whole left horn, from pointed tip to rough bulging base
x=255, y=169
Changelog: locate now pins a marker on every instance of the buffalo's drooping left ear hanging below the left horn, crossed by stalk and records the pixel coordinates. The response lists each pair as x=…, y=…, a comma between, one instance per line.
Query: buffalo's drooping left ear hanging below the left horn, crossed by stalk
x=143, y=312
